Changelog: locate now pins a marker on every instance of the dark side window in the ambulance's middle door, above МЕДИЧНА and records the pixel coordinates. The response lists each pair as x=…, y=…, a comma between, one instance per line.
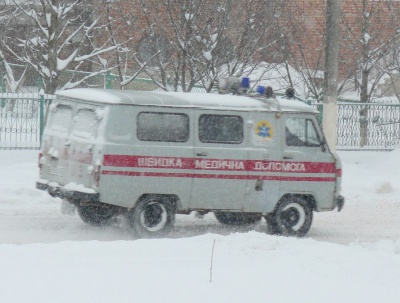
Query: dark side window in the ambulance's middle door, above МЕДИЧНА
x=221, y=129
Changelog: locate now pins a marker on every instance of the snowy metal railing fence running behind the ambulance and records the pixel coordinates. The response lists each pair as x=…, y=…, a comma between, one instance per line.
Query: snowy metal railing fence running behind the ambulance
x=22, y=119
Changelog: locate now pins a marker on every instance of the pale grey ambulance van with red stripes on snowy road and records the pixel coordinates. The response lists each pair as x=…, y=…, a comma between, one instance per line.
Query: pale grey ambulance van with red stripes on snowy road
x=151, y=155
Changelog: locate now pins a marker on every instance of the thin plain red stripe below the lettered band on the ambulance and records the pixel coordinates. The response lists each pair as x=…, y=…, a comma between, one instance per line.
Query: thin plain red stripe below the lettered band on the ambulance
x=216, y=176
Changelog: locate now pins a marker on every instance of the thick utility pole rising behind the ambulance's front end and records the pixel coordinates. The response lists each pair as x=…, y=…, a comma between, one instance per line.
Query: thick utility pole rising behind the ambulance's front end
x=331, y=72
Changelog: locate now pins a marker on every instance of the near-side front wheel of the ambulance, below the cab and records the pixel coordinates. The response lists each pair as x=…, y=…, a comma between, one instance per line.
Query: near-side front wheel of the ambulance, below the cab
x=293, y=217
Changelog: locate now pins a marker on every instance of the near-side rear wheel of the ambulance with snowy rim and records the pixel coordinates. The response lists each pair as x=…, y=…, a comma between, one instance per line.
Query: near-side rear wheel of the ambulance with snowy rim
x=153, y=216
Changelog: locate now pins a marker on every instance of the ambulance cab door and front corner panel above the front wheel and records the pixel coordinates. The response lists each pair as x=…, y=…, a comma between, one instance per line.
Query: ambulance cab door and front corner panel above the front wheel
x=308, y=160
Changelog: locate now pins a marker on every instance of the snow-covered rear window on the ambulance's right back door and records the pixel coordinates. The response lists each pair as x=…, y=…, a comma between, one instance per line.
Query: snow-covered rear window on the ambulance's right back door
x=85, y=123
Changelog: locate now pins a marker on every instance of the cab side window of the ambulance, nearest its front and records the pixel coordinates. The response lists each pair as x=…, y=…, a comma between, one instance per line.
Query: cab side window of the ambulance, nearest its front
x=301, y=132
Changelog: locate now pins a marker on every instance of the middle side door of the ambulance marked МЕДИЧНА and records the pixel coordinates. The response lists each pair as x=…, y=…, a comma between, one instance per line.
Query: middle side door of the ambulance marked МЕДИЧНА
x=219, y=178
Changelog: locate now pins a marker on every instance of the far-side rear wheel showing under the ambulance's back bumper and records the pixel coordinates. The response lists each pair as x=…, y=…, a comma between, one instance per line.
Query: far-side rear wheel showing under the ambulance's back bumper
x=96, y=215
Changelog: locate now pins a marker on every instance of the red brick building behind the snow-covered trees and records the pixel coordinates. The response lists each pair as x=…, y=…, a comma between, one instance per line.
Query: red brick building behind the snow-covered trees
x=367, y=28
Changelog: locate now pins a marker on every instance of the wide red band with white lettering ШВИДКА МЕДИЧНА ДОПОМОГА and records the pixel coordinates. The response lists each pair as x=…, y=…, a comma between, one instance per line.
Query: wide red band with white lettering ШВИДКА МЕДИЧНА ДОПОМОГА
x=218, y=164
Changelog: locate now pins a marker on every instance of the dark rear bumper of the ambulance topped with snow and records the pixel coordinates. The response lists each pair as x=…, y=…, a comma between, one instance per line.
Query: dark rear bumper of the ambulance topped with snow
x=56, y=190
